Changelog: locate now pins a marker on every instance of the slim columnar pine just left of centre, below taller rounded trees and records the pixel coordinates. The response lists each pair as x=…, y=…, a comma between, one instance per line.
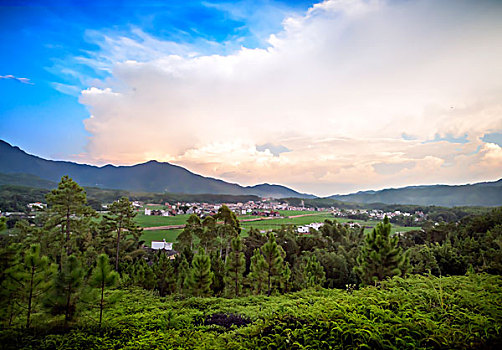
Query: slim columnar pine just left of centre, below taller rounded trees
x=234, y=268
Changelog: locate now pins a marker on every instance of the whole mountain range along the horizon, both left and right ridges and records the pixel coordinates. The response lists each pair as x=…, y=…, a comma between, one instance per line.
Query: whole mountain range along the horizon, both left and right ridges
x=20, y=168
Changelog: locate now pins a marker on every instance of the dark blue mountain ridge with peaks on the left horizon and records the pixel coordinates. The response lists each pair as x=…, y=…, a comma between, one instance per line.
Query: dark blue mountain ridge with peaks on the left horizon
x=151, y=176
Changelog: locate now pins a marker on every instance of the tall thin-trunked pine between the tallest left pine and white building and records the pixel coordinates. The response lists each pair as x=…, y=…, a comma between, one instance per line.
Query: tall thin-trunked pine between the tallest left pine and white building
x=121, y=218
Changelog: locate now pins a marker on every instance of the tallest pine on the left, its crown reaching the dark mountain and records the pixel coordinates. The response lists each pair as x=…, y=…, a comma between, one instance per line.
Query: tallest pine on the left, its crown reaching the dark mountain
x=67, y=208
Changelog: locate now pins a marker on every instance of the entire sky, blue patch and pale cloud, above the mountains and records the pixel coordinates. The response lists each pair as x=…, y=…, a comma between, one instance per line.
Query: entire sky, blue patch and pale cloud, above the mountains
x=324, y=97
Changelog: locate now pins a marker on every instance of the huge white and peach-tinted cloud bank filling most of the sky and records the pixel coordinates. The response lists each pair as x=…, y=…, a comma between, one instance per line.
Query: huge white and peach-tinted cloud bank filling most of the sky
x=361, y=94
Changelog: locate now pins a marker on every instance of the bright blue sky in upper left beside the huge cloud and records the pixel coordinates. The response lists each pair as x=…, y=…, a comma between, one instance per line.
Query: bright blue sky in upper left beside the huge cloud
x=42, y=38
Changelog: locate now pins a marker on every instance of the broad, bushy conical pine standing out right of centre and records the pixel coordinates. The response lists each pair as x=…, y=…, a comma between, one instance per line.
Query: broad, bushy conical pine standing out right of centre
x=380, y=256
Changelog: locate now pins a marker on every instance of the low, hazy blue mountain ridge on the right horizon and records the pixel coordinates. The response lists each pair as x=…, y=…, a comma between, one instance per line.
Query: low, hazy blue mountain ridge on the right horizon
x=478, y=194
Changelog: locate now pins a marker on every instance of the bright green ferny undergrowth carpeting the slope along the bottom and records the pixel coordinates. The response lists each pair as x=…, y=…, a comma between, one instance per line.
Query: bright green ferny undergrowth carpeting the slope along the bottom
x=414, y=313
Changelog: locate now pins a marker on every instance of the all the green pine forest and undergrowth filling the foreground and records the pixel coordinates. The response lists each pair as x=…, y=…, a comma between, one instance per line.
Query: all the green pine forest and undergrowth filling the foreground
x=73, y=279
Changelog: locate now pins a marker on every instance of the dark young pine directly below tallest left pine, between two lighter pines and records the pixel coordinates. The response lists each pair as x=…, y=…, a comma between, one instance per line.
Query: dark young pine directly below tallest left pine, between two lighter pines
x=64, y=294
